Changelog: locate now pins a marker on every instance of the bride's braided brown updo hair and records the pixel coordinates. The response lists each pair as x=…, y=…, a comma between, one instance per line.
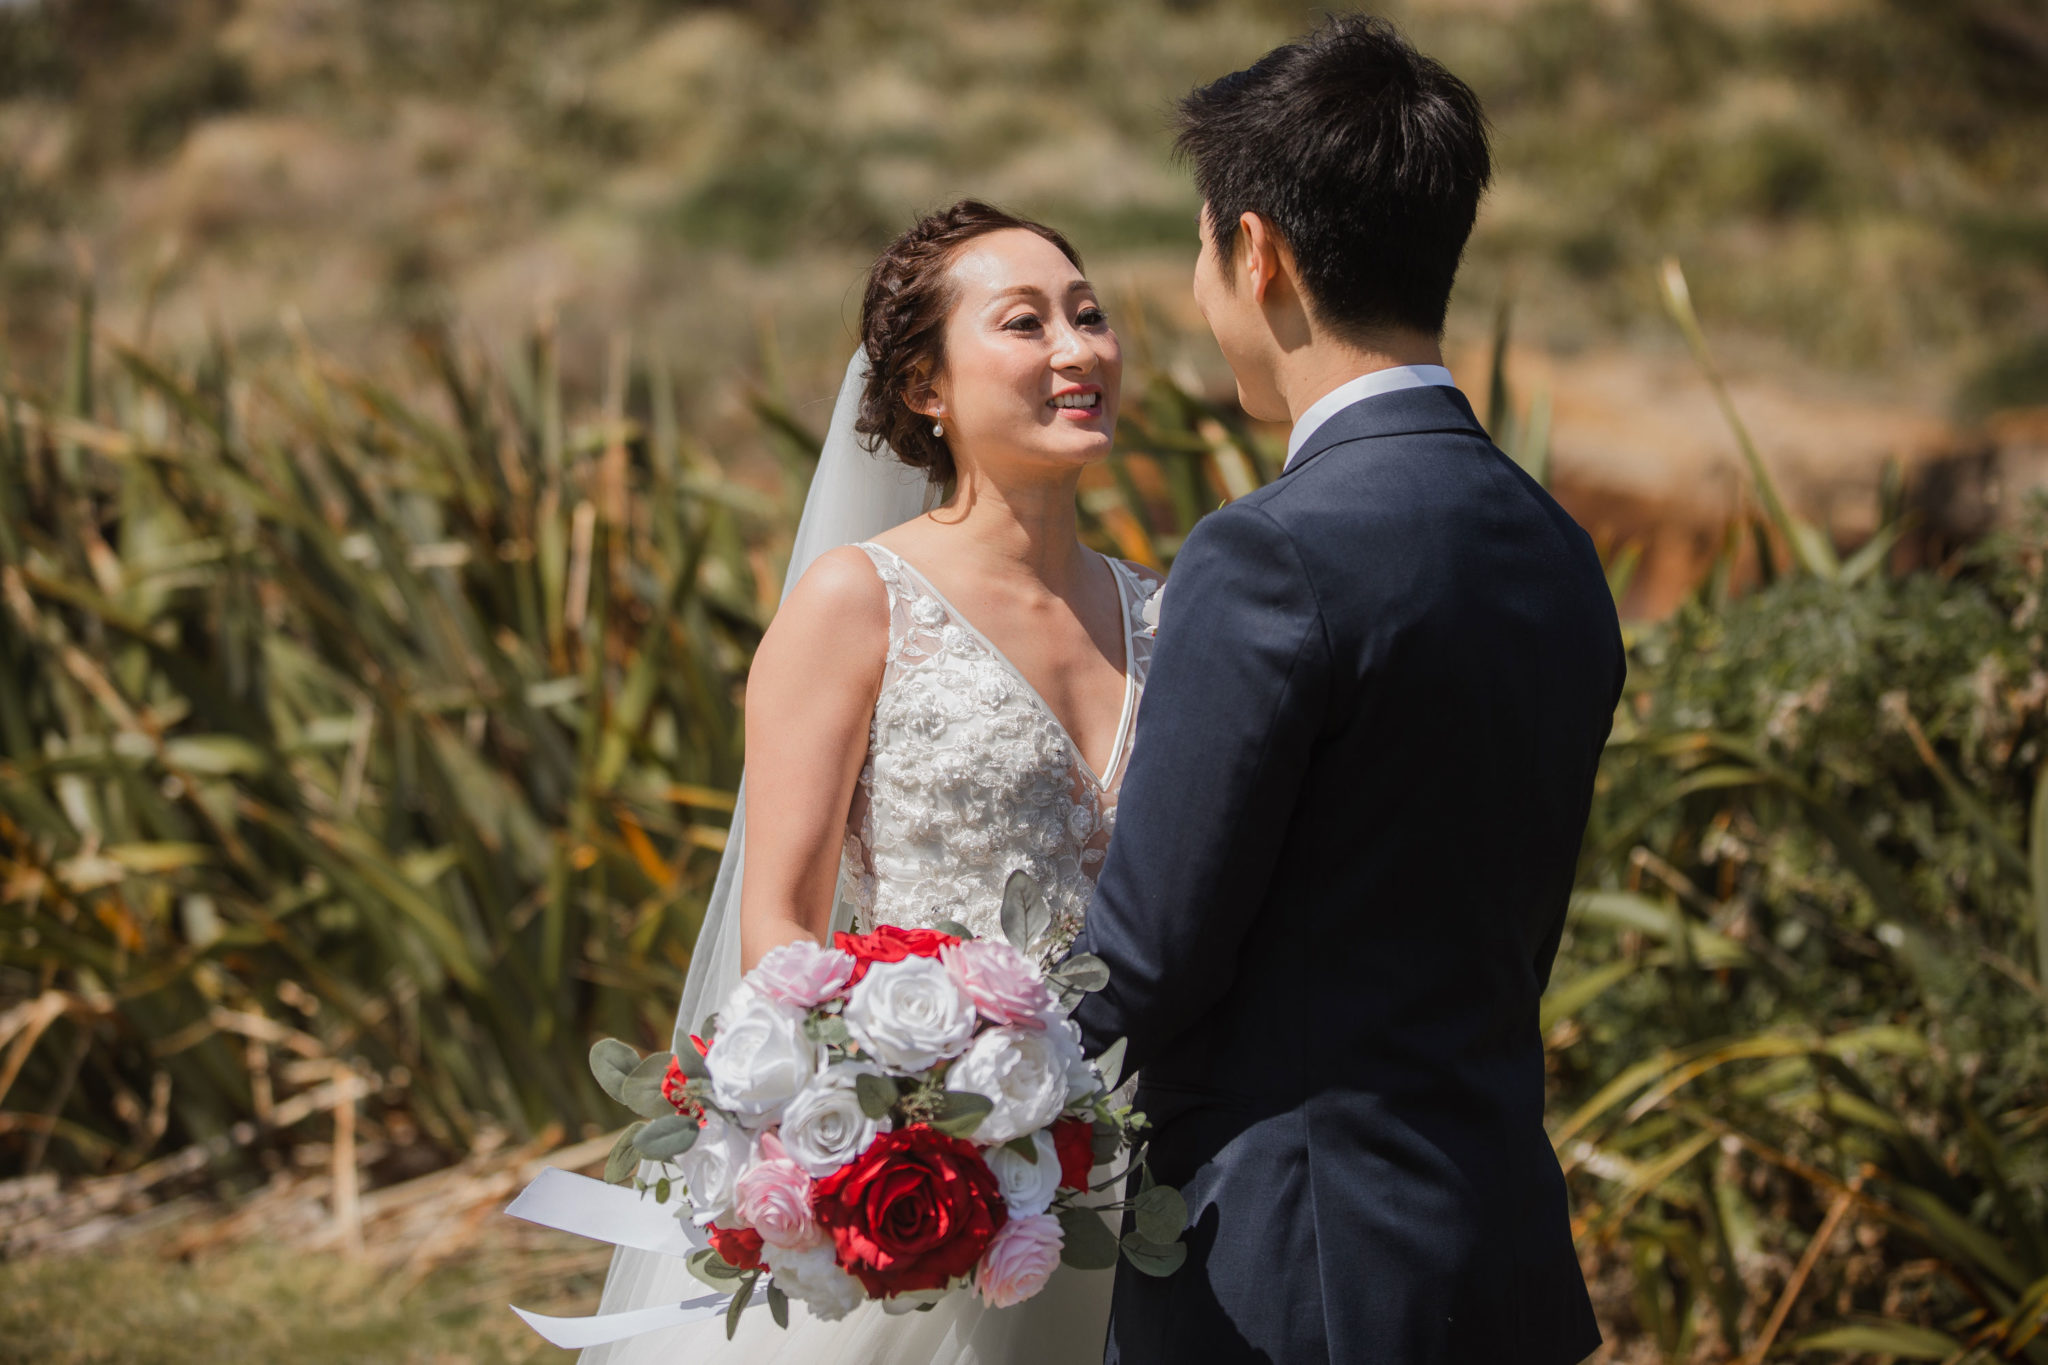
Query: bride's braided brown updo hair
x=904, y=326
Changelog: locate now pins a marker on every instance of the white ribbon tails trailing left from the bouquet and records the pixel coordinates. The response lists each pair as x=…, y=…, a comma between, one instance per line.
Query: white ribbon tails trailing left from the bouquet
x=626, y=1219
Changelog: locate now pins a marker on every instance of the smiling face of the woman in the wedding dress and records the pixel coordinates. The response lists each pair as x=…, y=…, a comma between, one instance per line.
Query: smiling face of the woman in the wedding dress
x=1033, y=367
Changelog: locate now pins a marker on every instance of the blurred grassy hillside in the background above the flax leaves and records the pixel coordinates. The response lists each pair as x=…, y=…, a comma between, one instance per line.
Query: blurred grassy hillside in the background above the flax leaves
x=1859, y=183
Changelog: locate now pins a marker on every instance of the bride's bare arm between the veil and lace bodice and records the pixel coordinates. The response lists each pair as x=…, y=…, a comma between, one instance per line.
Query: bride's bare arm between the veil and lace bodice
x=810, y=701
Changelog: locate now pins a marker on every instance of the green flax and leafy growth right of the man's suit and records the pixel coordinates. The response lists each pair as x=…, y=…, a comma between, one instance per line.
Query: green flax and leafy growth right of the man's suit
x=1799, y=1024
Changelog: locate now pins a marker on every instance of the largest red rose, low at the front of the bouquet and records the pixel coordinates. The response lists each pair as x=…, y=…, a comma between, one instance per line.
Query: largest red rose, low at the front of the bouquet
x=912, y=1213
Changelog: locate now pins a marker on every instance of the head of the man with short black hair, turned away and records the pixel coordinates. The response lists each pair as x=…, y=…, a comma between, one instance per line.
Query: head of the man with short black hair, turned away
x=1340, y=179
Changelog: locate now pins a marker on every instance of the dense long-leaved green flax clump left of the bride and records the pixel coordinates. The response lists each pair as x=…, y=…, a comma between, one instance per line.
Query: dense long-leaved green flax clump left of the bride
x=351, y=734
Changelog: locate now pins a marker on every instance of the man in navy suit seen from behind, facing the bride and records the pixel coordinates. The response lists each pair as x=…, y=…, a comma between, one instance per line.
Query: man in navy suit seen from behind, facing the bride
x=1363, y=775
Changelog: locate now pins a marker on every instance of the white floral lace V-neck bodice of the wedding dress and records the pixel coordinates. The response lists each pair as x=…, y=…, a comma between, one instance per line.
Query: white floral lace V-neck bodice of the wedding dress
x=970, y=777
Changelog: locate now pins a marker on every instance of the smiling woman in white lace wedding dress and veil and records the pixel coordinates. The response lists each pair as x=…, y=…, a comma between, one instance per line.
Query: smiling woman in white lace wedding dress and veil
x=943, y=699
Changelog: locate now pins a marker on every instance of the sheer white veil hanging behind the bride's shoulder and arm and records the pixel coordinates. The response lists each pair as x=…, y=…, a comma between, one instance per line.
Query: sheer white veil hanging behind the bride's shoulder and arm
x=855, y=496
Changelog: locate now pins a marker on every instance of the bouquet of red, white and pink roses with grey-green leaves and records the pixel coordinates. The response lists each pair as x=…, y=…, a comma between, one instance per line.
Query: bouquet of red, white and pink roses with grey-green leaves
x=900, y=1116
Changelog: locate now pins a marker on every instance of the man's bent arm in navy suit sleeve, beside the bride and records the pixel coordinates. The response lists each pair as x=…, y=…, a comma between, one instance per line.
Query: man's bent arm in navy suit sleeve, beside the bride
x=1236, y=697
